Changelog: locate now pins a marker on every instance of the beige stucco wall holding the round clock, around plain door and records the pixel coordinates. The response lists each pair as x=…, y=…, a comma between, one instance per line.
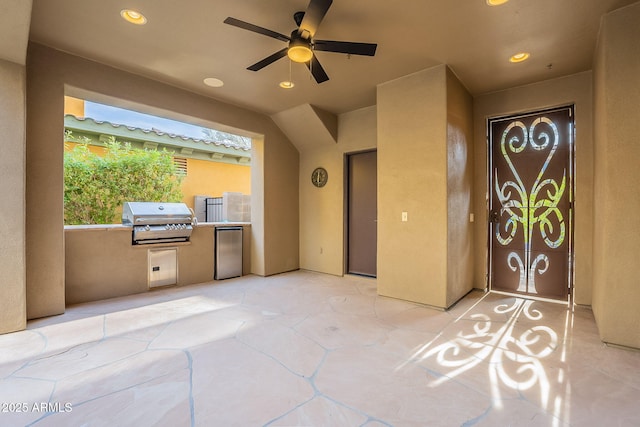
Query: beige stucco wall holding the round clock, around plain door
x=322, y=210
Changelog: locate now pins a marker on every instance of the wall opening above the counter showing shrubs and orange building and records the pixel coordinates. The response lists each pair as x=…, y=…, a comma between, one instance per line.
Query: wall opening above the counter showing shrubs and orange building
x=113, y=155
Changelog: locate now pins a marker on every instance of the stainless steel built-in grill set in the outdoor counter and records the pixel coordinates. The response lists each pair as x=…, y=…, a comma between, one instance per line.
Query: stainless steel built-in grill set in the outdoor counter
x=158, y=222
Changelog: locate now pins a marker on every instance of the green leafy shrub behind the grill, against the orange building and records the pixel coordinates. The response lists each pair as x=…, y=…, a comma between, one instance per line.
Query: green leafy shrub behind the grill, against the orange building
x=95, y=187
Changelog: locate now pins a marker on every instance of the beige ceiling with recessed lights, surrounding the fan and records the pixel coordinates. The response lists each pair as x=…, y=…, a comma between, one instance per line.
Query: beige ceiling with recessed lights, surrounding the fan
x=183, y=43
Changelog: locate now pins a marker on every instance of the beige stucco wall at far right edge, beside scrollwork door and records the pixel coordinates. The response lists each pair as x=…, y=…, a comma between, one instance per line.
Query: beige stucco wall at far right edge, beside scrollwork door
x=616, y=288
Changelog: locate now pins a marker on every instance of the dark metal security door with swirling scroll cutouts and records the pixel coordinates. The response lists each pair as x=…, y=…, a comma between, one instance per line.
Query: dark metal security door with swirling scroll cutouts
x=530, y=215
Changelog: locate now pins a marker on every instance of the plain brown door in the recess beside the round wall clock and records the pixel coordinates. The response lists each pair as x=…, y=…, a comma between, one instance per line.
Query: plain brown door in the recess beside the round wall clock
x=362, y=213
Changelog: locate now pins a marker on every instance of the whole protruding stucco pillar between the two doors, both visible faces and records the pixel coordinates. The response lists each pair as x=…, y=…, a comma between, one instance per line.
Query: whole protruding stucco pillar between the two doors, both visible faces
x=425, y=168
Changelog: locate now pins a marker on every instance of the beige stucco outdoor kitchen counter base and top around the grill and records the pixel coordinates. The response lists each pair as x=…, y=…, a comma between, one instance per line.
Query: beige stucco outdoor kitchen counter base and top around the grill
x=101, y=262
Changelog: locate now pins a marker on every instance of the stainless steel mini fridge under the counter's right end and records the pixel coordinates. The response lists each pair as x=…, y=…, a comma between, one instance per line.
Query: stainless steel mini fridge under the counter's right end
x=228, y=253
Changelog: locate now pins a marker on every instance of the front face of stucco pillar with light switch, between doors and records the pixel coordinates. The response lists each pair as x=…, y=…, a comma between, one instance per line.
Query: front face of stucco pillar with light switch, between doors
x=412, y=178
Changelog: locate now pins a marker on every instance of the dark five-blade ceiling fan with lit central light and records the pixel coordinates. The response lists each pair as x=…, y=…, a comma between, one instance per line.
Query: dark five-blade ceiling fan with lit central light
x=301, y=42
